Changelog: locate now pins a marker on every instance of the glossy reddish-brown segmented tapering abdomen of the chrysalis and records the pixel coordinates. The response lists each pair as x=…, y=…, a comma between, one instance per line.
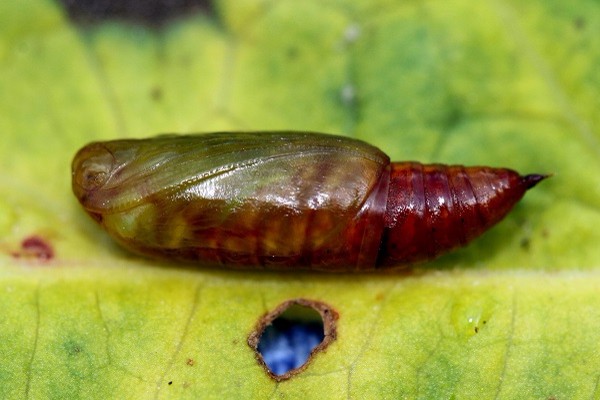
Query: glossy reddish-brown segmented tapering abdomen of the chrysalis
x=435, y=208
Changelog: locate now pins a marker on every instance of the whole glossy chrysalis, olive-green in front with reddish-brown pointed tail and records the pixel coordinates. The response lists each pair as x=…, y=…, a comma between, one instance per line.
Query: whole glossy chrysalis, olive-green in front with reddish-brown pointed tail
x=286, y=200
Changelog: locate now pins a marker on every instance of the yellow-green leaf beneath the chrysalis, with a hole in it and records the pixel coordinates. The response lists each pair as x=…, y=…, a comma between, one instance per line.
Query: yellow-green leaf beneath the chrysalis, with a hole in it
x=514, y=315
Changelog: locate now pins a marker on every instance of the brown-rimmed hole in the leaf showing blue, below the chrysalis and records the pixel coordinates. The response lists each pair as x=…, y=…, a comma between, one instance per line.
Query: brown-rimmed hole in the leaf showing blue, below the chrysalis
x=287, y=338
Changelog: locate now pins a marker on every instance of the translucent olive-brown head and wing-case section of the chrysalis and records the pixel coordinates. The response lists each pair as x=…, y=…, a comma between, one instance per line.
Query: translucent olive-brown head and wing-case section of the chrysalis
x=273, y=199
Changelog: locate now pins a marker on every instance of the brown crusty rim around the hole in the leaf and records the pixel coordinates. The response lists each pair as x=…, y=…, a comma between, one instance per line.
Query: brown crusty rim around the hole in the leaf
x=329, y=318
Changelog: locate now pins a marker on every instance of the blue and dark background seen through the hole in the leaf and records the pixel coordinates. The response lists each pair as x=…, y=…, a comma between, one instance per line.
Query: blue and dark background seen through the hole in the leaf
x=286, y=343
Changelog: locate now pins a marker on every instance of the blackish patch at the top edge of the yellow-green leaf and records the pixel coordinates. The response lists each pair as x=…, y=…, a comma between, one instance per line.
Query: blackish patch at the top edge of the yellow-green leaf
x=152, y=12
